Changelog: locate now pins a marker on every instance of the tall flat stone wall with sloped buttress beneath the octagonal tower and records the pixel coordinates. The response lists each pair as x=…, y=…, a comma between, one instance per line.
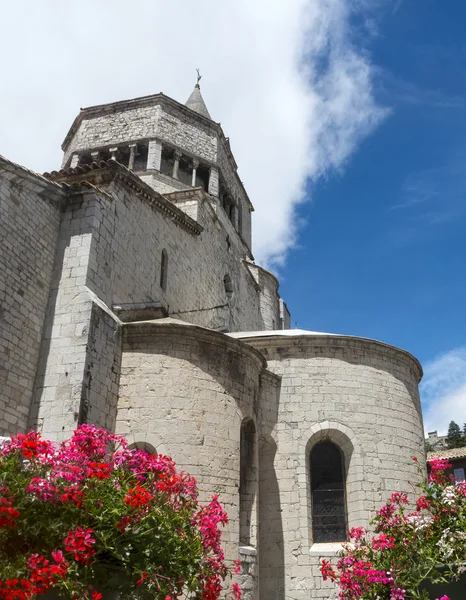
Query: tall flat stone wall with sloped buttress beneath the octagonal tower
x=109, y=253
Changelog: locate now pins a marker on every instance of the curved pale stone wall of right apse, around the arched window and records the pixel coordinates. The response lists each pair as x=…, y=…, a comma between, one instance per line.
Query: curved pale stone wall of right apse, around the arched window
x=363, y=396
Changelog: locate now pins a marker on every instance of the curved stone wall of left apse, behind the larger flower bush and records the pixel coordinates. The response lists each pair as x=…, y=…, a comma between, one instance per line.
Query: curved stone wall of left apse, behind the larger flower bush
x=186, y=391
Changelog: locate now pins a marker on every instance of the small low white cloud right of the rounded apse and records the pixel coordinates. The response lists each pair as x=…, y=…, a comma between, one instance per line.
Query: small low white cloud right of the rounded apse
x=443, y=391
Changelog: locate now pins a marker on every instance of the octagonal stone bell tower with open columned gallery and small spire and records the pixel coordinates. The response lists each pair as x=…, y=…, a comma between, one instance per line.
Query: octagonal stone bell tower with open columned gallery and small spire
x=172, y=147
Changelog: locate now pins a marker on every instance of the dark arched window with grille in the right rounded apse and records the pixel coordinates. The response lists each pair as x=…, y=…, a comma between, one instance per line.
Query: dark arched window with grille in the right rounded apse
x=329, y=523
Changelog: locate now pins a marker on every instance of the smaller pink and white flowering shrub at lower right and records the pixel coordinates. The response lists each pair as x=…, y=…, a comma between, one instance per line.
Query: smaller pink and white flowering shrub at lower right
x=412, y=544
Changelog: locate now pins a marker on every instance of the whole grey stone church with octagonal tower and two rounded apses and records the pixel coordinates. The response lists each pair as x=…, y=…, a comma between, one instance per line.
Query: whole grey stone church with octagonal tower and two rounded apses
x=130, y=298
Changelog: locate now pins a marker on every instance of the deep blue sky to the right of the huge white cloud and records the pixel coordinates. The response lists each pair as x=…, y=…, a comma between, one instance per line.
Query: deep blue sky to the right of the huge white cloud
x=382, y=253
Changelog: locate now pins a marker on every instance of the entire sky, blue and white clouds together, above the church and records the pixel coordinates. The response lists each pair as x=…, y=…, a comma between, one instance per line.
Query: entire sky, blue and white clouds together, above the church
x=347, y=119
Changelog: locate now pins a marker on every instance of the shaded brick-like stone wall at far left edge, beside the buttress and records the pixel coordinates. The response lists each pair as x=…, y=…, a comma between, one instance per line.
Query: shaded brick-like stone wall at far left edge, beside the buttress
x=29, y=221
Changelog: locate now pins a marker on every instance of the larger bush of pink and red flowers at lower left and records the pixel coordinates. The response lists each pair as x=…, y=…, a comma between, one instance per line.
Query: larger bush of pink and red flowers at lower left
x=92, y=515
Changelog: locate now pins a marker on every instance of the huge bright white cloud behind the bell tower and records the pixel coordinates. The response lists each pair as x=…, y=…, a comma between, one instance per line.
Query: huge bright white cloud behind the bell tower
x=291, y=90
